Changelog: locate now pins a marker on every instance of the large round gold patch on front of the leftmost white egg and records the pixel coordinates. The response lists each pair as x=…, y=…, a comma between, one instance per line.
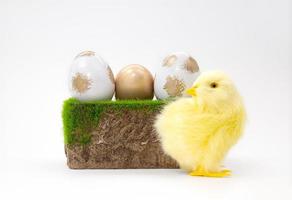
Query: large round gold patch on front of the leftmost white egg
x=81, y=83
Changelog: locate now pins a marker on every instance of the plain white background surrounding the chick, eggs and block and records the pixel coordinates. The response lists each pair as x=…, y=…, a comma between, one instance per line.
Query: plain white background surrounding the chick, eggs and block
x=249, y=39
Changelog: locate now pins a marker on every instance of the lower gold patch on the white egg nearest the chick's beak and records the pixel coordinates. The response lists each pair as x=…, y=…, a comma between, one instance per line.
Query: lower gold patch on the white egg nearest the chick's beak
x=173, y=86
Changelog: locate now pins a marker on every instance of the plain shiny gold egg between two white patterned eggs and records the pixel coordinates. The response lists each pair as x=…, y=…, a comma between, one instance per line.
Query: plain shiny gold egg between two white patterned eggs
x=134, y=82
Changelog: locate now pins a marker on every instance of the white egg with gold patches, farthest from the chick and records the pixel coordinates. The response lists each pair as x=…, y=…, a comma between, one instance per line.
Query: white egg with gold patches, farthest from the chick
x=91, y=78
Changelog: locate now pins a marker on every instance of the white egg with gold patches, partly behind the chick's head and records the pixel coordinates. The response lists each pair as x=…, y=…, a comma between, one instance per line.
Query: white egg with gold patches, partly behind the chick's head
x=177, y=73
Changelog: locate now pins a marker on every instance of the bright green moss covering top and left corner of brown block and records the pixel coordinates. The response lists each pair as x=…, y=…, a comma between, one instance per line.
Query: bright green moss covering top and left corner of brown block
x=80, y=118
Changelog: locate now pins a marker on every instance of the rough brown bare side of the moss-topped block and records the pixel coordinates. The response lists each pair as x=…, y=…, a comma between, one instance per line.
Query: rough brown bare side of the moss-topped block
x=122, y=139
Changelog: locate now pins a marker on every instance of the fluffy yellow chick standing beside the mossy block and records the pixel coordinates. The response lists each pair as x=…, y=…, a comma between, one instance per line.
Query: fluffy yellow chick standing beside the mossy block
x=198, y=132
